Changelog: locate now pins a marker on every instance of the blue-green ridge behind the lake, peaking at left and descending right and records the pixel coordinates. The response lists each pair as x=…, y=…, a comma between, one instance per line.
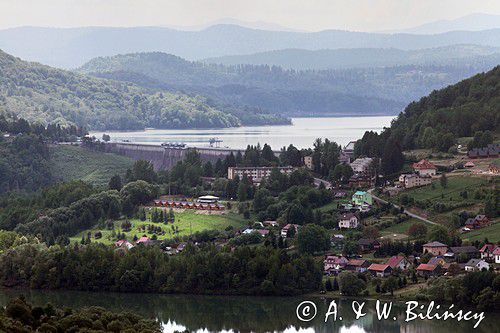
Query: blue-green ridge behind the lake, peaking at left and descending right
x=274, y=89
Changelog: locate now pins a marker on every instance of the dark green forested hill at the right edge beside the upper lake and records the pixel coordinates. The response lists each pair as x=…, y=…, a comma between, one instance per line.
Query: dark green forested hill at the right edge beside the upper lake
x=465, y=109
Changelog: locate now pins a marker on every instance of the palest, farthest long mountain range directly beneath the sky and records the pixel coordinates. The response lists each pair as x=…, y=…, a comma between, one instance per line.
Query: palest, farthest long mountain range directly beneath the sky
x=72, y=47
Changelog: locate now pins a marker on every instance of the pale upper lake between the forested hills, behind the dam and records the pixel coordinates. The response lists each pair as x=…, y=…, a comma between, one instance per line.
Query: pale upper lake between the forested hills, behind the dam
x=302, y=133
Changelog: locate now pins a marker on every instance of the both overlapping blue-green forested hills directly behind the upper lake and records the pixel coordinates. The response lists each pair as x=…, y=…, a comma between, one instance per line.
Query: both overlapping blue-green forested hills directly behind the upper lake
x=350, y=91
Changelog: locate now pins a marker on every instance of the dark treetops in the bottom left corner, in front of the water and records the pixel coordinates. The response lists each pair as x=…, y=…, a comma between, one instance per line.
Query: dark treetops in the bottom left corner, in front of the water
x=21, y=317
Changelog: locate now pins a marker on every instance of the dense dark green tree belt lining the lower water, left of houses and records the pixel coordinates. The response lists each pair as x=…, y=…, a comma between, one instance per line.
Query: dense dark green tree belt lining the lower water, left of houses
x=204, y=270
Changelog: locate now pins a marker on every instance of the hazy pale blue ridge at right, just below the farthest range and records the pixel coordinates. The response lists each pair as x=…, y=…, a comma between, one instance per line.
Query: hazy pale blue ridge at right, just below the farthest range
x=350, y=58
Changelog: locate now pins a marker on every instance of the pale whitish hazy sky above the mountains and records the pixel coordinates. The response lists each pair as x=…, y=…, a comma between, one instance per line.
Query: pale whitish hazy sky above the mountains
x=361, y=15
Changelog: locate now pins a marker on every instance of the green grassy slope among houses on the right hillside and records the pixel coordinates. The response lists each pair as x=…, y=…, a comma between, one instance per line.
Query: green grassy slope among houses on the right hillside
x=455, y=185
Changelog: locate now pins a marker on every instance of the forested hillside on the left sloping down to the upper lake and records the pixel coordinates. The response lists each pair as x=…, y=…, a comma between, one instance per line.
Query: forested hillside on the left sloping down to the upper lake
x=43, y=94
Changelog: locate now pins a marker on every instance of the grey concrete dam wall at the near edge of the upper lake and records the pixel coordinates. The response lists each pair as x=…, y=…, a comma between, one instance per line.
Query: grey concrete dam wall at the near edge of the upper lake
x=165, y=157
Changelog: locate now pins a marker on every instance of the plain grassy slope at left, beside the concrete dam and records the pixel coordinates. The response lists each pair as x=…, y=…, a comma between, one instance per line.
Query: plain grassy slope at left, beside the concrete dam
x=76, y=163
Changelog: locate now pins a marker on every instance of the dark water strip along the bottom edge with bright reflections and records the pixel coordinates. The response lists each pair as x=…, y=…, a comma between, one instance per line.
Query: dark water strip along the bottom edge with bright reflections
x=247, y=314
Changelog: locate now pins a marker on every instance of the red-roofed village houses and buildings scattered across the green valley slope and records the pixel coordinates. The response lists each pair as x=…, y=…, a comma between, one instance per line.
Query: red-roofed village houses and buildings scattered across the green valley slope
x=399, y=246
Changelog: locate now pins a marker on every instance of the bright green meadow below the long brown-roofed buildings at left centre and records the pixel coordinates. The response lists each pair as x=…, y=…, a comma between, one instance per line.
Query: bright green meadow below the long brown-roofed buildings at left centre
x=187, y=221
